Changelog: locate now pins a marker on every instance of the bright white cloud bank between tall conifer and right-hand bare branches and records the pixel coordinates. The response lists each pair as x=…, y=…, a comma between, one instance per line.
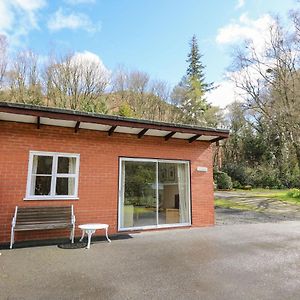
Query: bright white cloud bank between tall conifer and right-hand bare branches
x=245, y=28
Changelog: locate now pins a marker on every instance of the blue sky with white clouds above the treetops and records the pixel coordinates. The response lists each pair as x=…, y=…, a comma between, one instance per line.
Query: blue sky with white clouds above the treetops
x=148, y=35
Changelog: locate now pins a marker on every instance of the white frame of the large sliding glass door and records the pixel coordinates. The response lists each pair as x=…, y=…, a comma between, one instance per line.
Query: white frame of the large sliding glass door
x=121, y=193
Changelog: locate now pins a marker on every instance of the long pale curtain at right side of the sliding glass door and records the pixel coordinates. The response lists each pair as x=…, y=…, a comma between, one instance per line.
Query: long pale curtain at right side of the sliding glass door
x=183, y=193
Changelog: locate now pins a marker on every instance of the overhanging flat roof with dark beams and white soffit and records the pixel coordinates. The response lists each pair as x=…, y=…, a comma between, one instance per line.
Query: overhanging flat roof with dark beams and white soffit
x=77, y=120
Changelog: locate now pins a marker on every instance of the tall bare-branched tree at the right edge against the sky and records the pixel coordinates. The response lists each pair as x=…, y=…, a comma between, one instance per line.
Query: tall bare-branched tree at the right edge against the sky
x=270, y=82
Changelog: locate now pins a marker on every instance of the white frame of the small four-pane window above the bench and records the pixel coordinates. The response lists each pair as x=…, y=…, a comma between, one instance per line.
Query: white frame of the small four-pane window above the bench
x=54, y=176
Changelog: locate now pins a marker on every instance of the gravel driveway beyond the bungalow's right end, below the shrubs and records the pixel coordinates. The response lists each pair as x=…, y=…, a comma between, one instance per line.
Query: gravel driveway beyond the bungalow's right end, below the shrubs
x=270, y=210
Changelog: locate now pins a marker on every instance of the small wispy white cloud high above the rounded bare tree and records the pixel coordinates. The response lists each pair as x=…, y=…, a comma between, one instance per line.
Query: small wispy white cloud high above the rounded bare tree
x=61, y=20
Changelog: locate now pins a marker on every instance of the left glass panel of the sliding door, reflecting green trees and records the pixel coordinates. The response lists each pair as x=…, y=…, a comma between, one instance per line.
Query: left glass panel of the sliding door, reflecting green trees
x=139, y=194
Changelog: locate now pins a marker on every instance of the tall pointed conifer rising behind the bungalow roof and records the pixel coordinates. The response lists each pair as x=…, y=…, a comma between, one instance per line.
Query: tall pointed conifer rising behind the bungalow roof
x=190, y=92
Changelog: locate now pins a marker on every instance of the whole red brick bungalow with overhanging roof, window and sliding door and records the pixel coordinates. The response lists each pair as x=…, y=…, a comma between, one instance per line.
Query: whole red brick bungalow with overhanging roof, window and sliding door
x=131, y=174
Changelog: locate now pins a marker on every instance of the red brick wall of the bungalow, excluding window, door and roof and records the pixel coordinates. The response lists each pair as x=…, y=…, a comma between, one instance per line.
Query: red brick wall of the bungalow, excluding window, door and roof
x=98, y=174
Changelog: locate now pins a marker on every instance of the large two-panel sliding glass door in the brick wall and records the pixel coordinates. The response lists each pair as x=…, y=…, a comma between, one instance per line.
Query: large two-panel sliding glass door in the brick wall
x=153, y=193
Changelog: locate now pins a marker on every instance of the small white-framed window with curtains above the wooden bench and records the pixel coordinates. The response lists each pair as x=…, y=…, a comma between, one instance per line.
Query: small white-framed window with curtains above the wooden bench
x=52, y=176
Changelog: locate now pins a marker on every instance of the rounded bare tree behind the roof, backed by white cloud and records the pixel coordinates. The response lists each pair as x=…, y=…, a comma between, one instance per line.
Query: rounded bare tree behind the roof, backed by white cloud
x=76, y=82
